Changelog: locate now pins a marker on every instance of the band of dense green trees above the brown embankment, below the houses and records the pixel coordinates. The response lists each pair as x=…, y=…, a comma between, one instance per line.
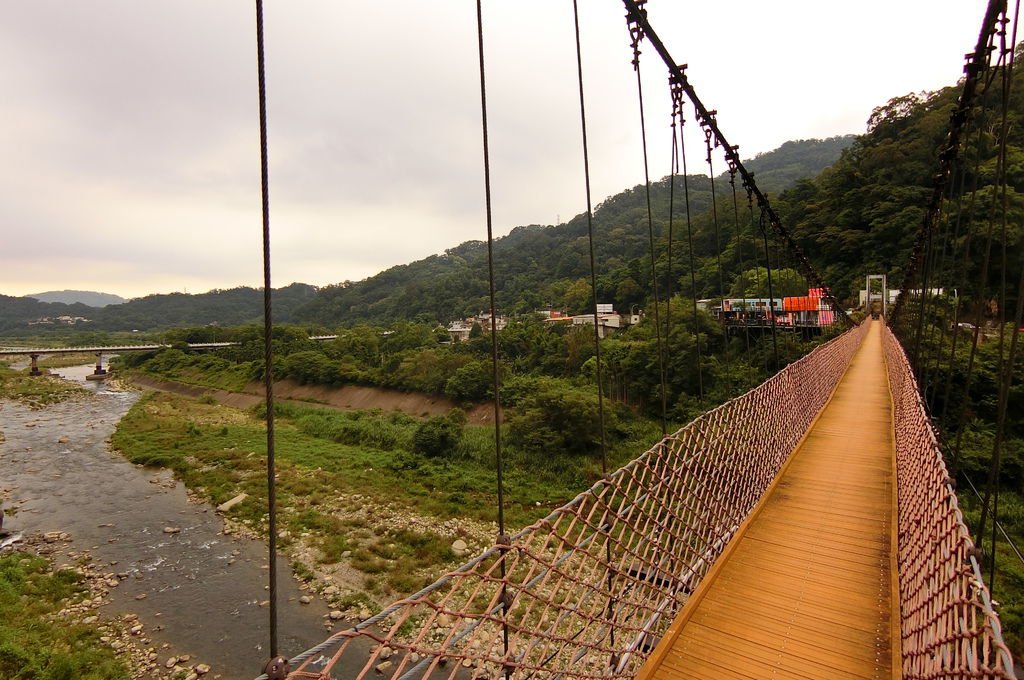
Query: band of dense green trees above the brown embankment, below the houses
x=417, y=358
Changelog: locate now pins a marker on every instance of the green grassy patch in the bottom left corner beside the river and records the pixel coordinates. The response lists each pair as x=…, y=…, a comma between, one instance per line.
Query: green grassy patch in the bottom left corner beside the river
x=34, y=644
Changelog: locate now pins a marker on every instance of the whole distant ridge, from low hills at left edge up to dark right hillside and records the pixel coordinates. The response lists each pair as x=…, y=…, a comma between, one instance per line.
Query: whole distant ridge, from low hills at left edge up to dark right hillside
x=539, y=267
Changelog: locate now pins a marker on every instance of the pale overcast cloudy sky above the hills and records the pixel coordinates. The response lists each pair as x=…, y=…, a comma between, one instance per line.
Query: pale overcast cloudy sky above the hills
x=130, y=138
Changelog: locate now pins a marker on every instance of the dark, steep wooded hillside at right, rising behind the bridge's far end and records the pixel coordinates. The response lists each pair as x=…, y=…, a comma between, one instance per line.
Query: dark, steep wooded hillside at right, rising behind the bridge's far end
x=862, y=216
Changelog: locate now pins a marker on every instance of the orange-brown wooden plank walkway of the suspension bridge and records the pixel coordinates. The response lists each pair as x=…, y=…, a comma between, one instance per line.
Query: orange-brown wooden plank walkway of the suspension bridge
x=806, y=589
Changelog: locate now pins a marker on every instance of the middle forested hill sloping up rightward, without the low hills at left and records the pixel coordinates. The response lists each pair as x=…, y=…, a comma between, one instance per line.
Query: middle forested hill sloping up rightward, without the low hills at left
x=548, y=267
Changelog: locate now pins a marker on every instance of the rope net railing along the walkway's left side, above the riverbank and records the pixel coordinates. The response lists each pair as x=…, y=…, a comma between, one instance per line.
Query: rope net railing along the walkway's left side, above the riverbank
x=590, y=589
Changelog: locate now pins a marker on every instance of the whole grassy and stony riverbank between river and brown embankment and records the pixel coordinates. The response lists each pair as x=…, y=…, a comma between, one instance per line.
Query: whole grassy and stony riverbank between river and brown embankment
x=355, y=497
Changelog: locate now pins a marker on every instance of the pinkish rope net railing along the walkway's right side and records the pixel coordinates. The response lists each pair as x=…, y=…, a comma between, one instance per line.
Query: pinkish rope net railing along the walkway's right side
x=950, y=629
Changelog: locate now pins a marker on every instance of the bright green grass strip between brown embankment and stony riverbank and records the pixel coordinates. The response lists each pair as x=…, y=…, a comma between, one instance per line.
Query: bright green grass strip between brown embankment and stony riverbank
x=222, y=452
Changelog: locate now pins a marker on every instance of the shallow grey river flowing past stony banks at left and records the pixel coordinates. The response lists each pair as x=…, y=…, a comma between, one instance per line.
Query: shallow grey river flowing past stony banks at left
x=196, y=589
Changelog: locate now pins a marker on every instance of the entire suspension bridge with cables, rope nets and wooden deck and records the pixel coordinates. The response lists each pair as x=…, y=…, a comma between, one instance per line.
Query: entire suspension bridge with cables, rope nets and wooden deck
x=825, y=542
